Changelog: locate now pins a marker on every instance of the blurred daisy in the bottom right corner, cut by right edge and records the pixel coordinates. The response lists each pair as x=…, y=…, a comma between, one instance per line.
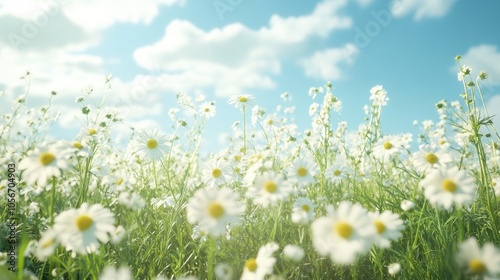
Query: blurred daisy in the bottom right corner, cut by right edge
x=482, y=262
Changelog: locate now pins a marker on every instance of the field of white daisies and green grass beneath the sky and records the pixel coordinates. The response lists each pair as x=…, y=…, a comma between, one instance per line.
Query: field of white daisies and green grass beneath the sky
x=329, y=202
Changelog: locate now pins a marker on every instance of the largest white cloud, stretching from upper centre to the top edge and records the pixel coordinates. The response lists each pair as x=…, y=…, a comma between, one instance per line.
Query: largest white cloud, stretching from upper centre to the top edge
x=235, y=58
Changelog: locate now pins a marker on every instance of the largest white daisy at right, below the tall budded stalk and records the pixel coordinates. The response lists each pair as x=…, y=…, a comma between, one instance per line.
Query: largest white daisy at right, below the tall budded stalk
x=445, y=186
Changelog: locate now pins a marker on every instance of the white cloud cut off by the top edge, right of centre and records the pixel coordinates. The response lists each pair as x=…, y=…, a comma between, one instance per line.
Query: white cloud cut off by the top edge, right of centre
x=421, y=8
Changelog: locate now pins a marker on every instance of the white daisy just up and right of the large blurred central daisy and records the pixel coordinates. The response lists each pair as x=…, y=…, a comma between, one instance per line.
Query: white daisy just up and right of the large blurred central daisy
x=269, y=188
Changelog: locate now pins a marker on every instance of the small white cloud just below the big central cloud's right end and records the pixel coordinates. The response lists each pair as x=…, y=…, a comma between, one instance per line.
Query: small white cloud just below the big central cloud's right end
x=325, y=64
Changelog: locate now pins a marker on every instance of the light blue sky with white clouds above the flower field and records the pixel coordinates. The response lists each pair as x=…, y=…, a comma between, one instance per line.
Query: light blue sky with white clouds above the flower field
x=263, y=48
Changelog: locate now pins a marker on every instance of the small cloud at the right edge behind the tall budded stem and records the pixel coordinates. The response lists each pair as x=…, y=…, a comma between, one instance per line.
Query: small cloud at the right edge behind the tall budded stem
x=483, y=58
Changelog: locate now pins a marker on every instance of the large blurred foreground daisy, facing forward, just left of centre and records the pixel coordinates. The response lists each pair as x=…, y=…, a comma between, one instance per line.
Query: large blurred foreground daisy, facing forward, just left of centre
x=213, y=210
